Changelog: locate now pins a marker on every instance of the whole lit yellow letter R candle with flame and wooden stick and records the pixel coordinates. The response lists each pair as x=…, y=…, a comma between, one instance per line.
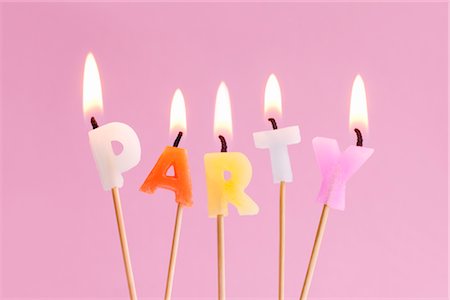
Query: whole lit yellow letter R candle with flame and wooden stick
x=222, y=190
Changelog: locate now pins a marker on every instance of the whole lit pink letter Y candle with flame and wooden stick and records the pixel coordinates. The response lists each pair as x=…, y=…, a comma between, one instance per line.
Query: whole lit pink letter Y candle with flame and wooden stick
x=336, y=169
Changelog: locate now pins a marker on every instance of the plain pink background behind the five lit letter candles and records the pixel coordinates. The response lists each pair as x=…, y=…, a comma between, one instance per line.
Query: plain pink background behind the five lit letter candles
x=59, y=237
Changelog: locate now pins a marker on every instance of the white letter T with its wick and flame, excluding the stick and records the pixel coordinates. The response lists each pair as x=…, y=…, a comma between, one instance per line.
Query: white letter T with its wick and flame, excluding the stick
x=278, y=139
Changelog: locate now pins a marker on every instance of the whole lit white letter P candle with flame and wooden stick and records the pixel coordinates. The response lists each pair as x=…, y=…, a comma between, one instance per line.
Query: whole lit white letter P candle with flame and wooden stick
x=110, y=165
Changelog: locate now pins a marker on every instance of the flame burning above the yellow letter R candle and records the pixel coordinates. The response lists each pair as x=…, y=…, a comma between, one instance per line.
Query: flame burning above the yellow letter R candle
x=222, y=115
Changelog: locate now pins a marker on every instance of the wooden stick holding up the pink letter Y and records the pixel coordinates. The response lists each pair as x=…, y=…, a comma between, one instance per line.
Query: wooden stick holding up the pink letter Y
x=315, y=253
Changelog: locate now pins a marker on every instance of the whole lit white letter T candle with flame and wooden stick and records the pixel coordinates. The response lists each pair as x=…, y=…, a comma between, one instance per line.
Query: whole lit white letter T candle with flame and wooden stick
x=277, y=141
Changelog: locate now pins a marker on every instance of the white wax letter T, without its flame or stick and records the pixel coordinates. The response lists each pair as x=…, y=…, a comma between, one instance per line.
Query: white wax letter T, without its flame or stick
x=277, y=141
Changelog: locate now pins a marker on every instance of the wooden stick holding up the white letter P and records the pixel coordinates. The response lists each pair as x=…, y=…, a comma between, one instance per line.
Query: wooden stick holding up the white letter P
x=124, y=243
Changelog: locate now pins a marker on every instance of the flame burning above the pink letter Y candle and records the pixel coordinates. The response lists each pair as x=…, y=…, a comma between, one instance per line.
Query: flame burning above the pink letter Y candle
x=358, y=106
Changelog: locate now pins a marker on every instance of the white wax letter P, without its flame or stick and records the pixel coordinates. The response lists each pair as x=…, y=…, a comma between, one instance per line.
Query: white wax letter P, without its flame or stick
x=110, y=165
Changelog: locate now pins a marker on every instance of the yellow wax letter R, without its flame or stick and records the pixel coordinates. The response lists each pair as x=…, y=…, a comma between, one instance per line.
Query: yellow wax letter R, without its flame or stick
x=222, y=190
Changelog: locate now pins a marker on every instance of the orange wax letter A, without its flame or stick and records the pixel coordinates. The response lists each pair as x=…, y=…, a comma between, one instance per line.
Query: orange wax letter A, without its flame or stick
x=179, y=183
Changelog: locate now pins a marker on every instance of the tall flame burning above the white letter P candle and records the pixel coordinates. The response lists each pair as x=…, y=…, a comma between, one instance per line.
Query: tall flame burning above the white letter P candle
x=92, y=88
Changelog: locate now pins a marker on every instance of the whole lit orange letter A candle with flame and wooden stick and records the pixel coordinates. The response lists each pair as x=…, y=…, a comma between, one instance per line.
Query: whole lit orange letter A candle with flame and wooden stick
x=179, y=183
